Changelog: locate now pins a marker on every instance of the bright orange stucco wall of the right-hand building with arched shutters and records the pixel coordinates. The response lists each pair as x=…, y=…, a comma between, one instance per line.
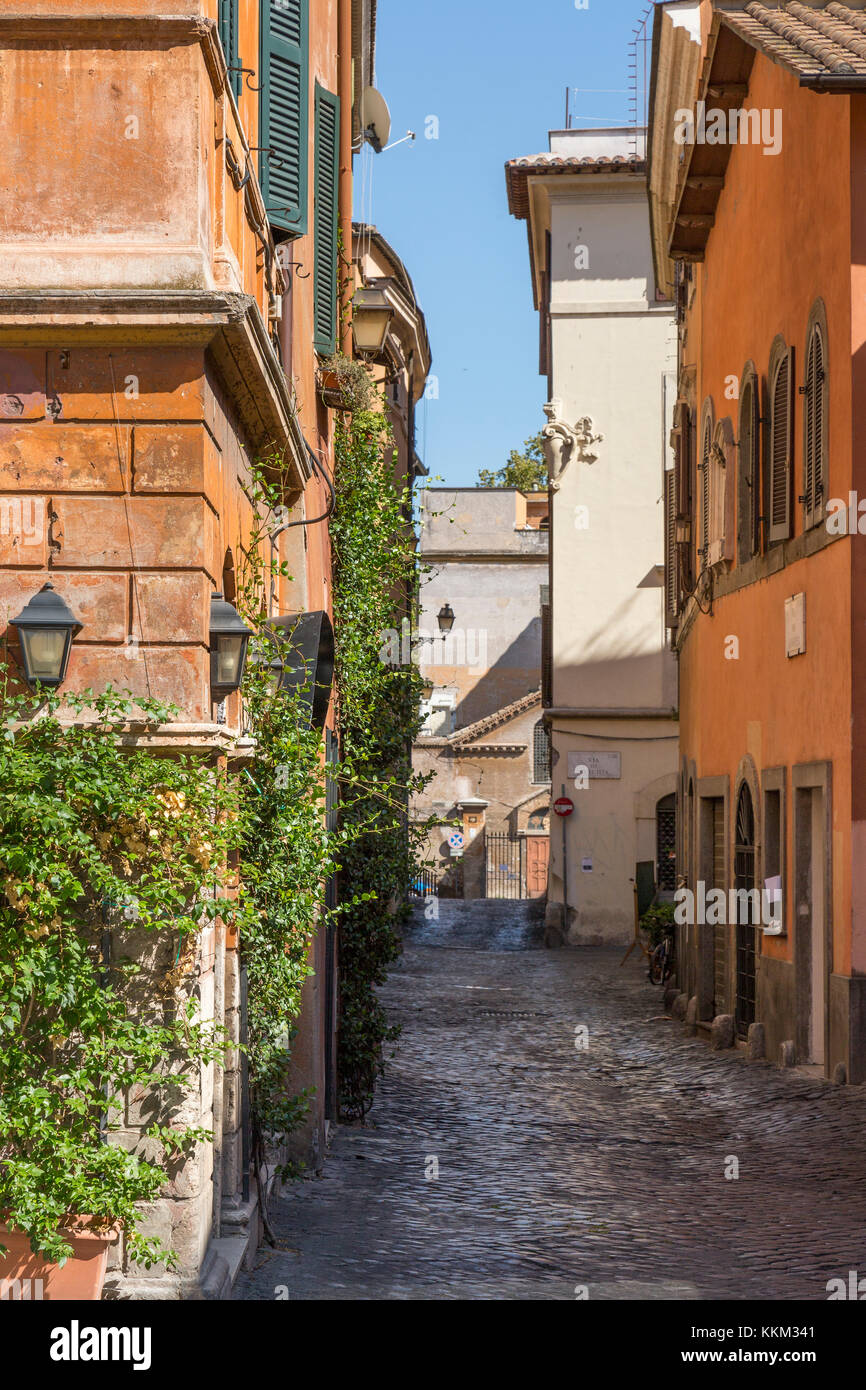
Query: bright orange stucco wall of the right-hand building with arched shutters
x=764, y=270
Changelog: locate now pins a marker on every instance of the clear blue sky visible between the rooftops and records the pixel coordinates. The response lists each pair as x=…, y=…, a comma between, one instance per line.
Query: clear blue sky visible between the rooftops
x=496, y=74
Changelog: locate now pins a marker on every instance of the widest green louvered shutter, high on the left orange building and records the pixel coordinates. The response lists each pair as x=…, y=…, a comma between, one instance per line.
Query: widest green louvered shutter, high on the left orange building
x=286, y=99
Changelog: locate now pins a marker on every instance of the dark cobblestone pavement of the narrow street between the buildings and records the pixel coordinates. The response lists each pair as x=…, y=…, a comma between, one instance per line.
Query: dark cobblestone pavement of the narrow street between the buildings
x=562, y=1168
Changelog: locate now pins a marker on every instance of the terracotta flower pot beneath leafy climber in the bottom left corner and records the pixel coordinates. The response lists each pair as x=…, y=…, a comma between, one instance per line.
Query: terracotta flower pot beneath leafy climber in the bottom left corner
x=80, y=1281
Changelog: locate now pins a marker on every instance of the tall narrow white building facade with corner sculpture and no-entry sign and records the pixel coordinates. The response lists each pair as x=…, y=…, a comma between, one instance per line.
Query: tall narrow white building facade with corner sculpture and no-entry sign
x=608, y=350
